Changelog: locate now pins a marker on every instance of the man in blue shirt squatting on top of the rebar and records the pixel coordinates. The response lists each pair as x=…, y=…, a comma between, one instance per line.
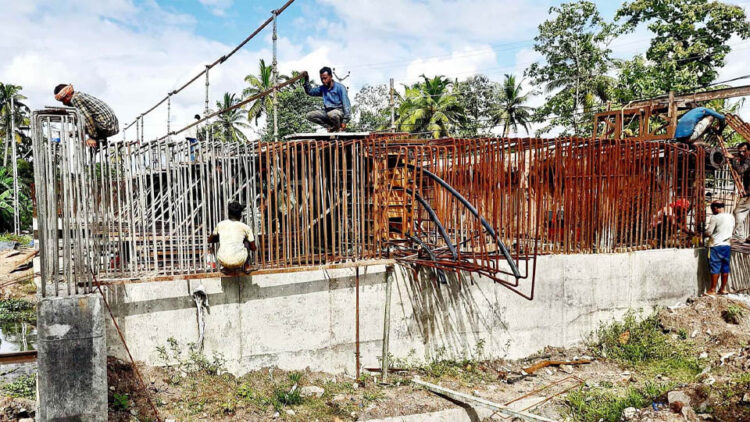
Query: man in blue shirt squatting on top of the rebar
x=336, y=107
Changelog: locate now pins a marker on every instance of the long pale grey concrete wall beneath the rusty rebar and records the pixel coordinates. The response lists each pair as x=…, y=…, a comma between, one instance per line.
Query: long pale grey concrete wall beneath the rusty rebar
x=300, y=320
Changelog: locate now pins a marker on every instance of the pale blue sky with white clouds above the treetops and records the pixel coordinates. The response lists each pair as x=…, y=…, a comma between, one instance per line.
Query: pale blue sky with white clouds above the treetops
x=132, y=52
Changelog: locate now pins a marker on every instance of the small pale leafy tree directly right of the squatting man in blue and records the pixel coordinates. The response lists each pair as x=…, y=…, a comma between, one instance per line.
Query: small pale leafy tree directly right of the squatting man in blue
x=371, y=108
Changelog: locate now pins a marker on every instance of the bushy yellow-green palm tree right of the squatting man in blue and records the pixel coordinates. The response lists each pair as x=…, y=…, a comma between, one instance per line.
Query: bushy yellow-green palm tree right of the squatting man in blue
x=429, y=106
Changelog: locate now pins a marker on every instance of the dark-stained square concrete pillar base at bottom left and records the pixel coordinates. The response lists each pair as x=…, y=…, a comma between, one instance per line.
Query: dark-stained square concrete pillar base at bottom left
x=72, y=359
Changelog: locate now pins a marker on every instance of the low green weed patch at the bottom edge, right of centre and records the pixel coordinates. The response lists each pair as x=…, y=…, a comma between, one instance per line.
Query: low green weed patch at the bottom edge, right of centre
x=607, y=404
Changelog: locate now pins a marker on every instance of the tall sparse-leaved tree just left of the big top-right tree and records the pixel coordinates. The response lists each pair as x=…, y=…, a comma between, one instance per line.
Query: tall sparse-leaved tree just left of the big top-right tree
x=574, y=44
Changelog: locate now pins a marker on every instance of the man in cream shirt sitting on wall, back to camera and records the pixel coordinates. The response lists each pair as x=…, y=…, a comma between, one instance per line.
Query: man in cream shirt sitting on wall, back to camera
x=236, y=241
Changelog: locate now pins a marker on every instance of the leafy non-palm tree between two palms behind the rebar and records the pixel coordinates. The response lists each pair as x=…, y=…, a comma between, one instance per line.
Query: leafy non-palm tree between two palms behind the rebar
x=477, y=96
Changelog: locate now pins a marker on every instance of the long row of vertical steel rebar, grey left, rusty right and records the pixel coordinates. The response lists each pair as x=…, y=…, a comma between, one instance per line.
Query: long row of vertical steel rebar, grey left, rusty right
x=145, y=209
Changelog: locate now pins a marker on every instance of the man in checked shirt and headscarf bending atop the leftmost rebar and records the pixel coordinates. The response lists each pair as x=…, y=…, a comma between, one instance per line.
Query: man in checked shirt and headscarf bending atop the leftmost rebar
x=99, y=120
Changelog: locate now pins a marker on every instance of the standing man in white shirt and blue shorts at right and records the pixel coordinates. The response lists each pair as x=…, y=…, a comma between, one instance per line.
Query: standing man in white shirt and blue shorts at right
x=720, y=229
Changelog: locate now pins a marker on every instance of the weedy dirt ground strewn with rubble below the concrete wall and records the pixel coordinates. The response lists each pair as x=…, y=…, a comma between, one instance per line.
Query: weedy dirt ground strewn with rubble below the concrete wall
x=193, y=388
